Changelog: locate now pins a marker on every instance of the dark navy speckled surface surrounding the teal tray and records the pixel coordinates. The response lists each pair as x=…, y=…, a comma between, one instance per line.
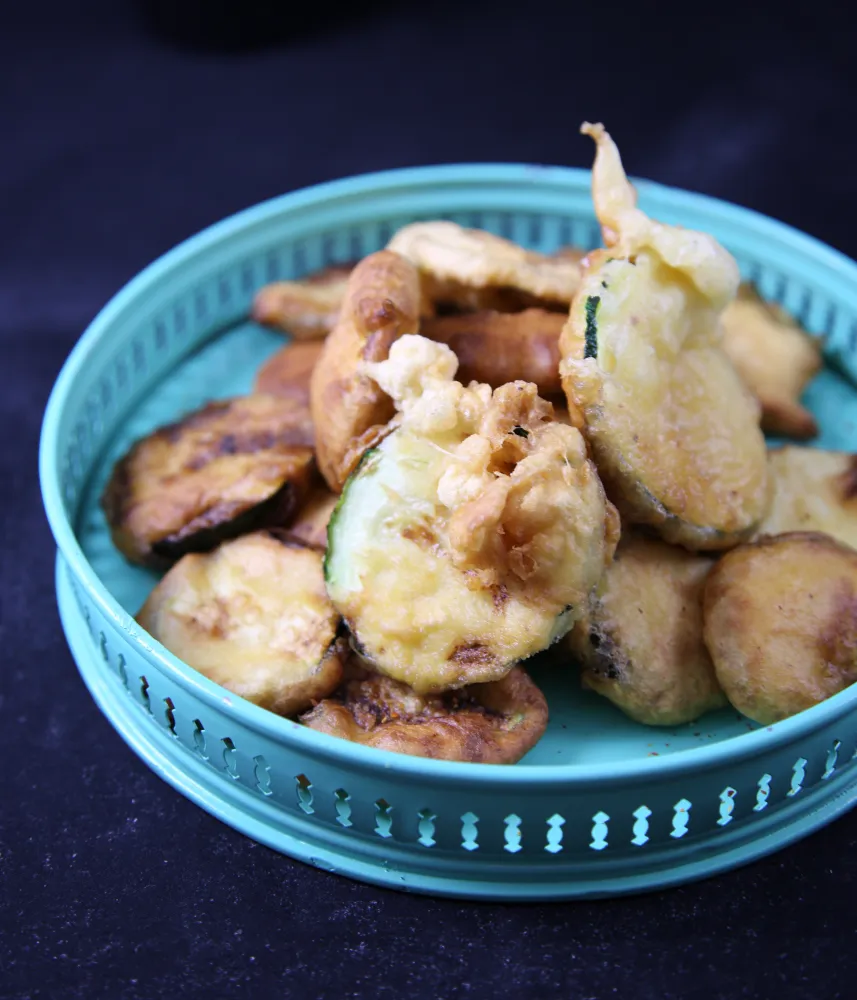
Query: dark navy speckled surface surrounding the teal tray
x=116, y=146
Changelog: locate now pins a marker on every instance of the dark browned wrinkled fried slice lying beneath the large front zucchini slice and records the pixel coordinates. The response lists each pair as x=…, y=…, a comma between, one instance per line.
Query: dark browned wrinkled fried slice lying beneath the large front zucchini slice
x=493, y=723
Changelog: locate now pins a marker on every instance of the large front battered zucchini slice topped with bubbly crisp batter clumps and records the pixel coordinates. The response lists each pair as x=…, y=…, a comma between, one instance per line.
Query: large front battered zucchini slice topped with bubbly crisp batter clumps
x=472, y=536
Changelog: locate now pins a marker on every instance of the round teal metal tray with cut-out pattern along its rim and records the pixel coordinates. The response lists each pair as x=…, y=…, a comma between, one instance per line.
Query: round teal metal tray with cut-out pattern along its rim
x=601, y=805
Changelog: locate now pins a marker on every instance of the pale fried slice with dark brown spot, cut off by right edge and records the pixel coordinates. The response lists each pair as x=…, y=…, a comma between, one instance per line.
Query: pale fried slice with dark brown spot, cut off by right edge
x=813, y=490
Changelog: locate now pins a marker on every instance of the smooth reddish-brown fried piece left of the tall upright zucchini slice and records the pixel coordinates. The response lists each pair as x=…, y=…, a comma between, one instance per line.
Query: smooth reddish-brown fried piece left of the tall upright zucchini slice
x=497, y=347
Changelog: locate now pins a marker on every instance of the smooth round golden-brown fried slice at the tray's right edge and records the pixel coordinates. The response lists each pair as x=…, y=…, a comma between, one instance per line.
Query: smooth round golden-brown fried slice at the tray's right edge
x=781, y=623
